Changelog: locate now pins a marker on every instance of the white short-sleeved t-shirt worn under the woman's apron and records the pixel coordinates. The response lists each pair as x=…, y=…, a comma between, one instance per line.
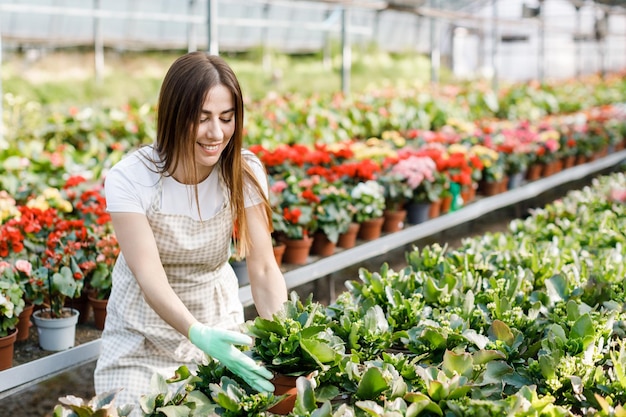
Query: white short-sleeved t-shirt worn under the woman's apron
x=130, y=186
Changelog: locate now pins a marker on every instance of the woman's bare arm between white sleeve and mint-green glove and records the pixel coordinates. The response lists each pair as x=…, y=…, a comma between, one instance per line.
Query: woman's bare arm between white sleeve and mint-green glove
x=139, y=247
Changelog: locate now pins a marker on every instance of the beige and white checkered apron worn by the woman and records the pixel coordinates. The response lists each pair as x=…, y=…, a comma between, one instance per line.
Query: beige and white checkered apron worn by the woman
x=136, y=342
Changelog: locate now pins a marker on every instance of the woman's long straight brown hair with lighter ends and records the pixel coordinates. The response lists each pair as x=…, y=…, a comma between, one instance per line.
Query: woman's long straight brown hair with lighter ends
x=182, y=96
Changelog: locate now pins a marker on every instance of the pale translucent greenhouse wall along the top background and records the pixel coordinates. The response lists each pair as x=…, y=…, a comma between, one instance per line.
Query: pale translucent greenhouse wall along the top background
x=463, y=32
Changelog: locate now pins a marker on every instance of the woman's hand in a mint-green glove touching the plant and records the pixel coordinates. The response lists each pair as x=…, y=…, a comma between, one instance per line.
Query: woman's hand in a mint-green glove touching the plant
x=218, y=344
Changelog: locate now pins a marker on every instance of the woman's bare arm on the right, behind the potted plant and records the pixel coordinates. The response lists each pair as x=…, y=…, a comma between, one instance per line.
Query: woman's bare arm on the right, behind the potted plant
x=269, y=290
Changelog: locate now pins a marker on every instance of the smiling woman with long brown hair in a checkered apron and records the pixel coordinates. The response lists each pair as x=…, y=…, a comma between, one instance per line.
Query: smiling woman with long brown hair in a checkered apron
x=173, y=205
